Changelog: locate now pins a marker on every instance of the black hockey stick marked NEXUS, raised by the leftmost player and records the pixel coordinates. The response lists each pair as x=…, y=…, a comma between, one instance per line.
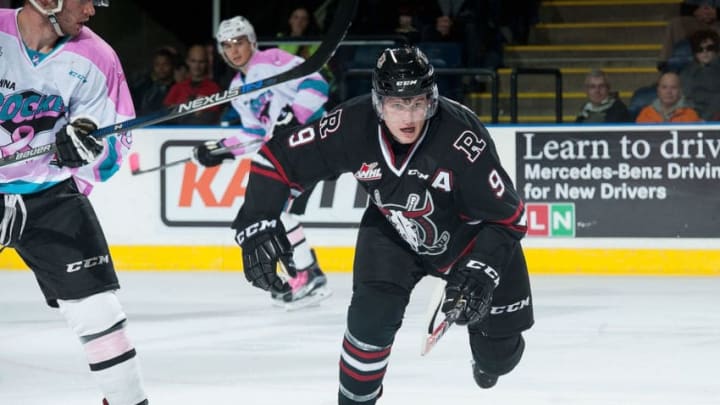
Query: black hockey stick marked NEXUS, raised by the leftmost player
x=336, y=32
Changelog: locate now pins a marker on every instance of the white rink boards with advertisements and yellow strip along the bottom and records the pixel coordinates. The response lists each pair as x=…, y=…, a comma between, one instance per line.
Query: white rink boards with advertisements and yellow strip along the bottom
x=616, y=200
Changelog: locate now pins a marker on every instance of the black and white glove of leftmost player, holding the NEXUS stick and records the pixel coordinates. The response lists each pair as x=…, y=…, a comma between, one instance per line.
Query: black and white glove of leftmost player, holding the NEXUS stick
x=75, y=146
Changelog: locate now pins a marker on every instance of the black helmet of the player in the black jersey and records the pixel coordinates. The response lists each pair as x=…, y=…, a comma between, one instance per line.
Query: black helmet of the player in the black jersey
x=403, y=72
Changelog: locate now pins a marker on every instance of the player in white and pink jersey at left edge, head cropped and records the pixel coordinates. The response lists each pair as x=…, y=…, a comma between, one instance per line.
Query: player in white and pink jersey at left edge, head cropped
x=59, y=81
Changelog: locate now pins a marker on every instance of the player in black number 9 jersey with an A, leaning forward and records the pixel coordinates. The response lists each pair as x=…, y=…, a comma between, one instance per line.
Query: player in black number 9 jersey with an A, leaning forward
x=441, y=204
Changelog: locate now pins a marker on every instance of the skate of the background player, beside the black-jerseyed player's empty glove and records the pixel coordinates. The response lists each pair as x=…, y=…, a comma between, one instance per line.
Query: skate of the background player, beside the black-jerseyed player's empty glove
x=308, y=288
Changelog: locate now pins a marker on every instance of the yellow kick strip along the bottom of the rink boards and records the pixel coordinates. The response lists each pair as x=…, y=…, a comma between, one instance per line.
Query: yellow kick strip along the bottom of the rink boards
x=660, y=262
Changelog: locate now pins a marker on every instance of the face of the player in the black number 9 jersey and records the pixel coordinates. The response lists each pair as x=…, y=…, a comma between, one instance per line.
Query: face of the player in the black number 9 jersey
x=405, y=117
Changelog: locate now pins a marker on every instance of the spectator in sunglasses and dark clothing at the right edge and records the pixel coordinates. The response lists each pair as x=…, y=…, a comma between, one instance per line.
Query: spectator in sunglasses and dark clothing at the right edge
x=701, y=79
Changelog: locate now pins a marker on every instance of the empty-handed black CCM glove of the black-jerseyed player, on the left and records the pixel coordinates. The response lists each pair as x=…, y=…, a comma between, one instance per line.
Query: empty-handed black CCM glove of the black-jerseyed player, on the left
x=263, y=244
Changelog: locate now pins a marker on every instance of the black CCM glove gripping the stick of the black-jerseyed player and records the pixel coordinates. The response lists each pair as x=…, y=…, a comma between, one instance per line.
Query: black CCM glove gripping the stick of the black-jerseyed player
x=473, y=282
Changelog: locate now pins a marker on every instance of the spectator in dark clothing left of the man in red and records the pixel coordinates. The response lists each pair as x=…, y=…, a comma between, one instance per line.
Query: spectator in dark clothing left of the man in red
x=149, y=89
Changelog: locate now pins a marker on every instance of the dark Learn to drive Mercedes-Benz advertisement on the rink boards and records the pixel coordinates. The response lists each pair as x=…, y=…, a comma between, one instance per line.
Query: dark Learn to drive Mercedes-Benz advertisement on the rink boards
x=620, y=183
